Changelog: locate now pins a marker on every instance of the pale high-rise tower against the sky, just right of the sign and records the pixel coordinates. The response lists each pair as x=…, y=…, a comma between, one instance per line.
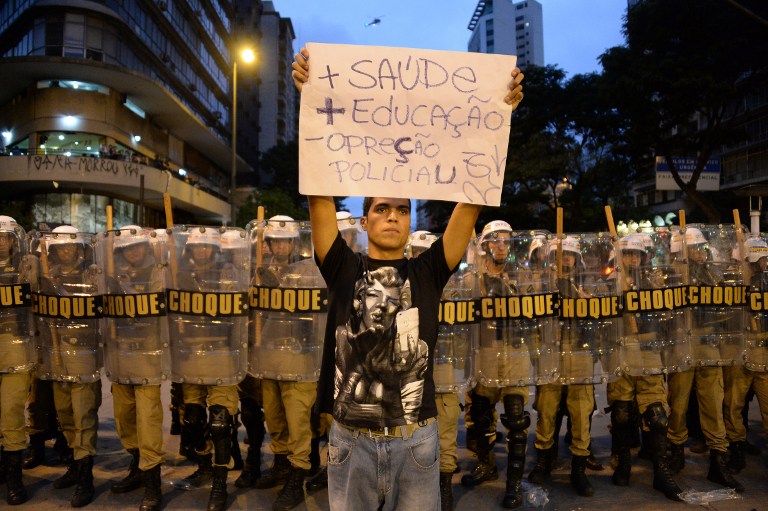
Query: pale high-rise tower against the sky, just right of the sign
x=508, y=28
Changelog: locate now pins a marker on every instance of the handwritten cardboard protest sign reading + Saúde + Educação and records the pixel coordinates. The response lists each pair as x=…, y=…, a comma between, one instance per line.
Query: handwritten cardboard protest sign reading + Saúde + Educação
x=400, y=122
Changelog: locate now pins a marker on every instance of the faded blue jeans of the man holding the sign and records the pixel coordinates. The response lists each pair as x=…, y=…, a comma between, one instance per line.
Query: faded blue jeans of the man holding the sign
x=367, y=473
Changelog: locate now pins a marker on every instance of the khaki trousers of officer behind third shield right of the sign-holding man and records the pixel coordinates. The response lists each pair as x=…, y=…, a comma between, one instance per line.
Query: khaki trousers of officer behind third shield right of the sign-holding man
x=581, y=403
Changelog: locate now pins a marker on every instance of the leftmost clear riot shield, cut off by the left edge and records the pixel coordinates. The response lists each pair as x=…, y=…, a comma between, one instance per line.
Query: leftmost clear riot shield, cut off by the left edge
x=17, y=353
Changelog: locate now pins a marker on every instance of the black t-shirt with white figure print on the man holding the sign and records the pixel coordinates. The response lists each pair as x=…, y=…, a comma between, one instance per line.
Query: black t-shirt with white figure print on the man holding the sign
x=380, y=336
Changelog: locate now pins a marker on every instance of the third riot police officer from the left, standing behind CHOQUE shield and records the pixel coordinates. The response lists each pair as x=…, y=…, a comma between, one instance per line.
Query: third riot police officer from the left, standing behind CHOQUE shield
x=135, y=357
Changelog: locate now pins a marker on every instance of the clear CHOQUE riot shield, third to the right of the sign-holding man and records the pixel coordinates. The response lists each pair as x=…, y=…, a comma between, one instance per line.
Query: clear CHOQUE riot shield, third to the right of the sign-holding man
x=589, y=314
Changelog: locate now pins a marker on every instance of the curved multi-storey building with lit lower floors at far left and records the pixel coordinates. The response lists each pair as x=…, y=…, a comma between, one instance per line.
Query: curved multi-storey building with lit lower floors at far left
x=117, y=102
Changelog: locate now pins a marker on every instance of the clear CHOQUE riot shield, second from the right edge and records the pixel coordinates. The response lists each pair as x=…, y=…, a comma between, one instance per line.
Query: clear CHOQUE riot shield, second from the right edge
x=717, y=295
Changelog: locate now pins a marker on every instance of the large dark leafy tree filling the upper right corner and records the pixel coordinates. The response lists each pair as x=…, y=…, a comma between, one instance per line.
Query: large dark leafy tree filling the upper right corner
x=682, y=78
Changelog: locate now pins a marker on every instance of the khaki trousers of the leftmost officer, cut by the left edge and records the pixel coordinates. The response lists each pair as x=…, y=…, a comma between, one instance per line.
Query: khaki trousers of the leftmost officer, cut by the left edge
x=14, y=388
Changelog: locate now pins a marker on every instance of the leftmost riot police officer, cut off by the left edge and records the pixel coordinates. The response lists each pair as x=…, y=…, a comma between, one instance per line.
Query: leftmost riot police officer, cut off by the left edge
x=16, y=354
